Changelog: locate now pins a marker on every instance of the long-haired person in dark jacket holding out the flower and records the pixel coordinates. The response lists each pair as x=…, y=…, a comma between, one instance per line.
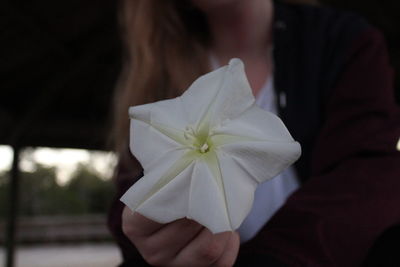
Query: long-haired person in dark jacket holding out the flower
x=326, y=74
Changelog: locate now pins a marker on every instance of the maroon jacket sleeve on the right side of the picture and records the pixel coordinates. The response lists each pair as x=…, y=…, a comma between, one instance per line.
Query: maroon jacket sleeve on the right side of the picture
x=353, y=194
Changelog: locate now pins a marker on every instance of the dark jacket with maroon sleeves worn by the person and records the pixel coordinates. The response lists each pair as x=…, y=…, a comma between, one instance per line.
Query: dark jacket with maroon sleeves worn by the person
x=332, y=69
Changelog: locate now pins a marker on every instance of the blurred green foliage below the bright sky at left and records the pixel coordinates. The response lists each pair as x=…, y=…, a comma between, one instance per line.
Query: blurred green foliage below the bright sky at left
x=40, y=194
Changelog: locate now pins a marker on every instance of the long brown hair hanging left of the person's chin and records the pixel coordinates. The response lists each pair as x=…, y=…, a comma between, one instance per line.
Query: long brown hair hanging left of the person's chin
x=166, y=49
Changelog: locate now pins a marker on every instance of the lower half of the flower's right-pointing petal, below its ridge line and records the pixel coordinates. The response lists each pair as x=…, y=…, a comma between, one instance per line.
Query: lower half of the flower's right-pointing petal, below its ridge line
x=263, y=160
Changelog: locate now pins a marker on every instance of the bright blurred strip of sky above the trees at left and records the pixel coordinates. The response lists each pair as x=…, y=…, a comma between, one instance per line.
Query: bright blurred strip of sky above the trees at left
x=64, y=160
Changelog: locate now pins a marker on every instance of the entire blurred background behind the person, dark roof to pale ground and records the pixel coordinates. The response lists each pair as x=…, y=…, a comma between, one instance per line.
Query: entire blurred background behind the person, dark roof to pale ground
x=59, y=61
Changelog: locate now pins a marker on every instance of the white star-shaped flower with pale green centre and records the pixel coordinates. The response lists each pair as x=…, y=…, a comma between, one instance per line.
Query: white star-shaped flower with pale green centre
x=205, y=152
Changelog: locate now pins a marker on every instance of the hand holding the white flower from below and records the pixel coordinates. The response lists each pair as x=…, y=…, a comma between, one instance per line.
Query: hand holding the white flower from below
x=183, y=242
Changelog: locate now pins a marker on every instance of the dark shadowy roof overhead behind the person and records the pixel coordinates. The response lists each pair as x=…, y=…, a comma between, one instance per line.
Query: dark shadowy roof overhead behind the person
x=60, y=60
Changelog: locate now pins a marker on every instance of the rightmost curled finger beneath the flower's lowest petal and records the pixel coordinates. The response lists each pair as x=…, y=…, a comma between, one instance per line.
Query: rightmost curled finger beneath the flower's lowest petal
x=204, y=250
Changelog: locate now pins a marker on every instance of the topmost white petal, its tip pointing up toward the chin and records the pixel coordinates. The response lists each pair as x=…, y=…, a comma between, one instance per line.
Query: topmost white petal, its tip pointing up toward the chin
x=217, y=96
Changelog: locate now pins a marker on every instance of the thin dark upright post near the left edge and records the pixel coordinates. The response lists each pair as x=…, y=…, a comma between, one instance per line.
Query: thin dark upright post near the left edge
x=13, y=209
